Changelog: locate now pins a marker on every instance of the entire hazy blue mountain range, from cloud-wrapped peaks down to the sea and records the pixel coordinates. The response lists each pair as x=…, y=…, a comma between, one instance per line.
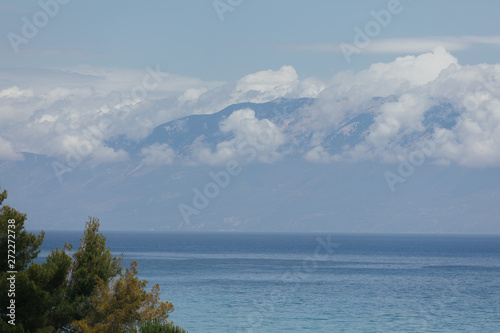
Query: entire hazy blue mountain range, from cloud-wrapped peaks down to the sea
x=290, y=194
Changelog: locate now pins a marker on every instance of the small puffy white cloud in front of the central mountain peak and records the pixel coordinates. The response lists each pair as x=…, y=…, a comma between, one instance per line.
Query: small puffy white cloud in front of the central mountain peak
x=254, y=139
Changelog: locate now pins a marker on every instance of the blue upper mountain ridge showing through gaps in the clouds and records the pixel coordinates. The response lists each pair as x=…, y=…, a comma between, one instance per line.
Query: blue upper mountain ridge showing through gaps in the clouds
x=289, y=116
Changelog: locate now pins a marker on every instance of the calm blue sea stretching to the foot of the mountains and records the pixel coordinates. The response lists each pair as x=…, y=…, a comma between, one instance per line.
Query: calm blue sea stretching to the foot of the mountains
x=232, y=282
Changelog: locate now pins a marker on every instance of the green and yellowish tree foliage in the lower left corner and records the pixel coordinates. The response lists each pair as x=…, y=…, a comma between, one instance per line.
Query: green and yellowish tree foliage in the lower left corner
x=75, y=294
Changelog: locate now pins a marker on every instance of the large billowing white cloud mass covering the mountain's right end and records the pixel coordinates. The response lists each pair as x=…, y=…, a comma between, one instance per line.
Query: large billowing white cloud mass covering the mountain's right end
x=418, y=83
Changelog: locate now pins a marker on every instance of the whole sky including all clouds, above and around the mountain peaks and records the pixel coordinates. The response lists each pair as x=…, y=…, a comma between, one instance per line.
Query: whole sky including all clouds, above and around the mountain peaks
x=68, y=68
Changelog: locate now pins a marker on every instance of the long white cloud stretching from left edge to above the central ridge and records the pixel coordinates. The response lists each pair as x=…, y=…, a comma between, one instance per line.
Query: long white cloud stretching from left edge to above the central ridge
x=39, y=109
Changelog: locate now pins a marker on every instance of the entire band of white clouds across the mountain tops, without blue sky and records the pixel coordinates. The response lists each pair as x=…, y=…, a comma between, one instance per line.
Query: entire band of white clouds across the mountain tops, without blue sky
x=74, y=112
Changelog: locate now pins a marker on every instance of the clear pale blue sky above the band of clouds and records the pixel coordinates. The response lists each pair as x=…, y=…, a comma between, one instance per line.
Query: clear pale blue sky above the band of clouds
x=188, y=37
